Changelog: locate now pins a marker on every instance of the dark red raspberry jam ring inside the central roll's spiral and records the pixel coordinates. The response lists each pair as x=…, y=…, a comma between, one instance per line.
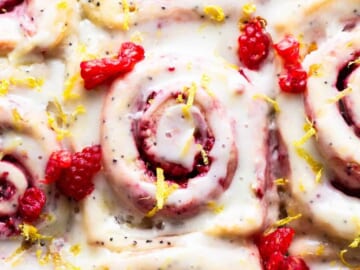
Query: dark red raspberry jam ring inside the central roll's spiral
x=145, y=132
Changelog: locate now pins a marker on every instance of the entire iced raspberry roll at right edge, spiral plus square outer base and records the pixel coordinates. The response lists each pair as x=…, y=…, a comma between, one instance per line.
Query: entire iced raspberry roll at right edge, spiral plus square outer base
x=321, y=139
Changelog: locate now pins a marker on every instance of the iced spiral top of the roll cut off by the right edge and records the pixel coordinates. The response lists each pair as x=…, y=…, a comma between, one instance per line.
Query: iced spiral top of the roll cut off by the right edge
x=332, y=103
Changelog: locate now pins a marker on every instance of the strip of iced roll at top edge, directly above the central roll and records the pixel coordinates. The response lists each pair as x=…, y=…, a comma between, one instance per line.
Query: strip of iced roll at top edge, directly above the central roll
x=123, y=14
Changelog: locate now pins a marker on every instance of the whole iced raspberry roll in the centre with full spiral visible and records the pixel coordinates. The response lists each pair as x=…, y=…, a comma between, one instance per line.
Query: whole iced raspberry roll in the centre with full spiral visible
x=185, y=155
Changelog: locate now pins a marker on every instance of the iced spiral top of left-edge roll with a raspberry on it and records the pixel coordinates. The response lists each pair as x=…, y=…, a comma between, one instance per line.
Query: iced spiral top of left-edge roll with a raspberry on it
x=25, y=145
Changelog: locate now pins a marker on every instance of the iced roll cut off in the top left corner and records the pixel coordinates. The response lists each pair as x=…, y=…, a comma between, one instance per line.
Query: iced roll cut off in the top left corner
x=29, y=24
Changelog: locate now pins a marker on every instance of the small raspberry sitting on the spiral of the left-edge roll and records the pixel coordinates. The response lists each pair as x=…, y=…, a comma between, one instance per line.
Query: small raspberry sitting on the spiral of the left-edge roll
x=31, y=204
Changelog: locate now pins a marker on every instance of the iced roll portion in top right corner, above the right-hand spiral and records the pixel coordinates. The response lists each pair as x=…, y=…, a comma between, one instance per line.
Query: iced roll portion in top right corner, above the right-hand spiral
x=315, y=21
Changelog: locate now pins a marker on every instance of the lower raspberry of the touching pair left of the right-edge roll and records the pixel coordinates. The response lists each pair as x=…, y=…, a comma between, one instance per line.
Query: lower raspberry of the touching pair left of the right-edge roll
x=294, y=80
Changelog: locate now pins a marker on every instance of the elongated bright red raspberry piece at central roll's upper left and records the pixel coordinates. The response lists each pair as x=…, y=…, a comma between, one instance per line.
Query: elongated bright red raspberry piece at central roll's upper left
x=98, y=71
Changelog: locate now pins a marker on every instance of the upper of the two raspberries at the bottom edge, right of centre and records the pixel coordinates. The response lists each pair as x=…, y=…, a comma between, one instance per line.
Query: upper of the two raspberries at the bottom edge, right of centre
x=277, y=241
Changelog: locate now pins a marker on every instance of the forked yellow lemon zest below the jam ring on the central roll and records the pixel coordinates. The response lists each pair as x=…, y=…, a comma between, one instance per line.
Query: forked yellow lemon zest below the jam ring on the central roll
x=163, y=191
